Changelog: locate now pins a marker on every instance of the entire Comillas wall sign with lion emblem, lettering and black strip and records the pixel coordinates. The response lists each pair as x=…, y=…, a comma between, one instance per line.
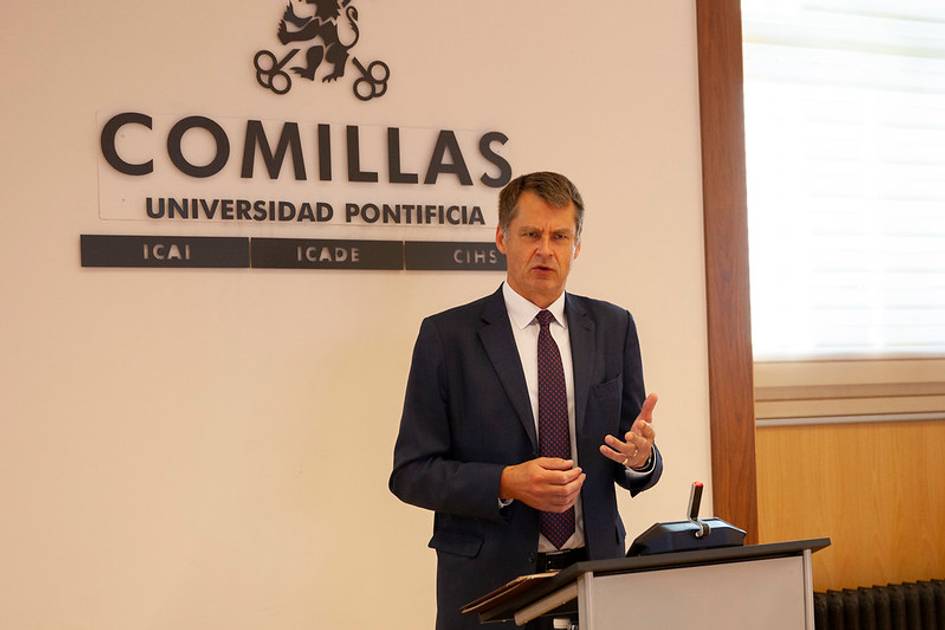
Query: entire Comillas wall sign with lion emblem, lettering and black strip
x=351, y=193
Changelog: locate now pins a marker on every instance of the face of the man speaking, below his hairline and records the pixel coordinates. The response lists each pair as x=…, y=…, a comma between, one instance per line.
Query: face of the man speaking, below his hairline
x=540, y=245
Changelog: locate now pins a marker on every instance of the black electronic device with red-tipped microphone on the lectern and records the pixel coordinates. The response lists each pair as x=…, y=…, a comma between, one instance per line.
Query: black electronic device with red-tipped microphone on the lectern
x=694, y=533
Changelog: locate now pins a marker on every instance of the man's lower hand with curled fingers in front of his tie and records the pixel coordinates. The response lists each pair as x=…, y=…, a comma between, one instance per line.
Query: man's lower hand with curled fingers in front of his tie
x=548, y=484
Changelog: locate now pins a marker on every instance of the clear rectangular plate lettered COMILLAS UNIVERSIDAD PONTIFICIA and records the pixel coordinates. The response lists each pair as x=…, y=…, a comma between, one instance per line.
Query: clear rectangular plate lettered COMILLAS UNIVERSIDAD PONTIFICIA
x=248, y=170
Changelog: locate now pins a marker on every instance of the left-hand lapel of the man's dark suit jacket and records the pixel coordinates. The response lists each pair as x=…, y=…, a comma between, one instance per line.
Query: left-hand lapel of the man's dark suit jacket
x=496, y=336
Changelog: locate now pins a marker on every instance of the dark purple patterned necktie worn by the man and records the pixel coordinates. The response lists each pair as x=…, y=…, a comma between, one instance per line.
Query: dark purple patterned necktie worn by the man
x=554, y=436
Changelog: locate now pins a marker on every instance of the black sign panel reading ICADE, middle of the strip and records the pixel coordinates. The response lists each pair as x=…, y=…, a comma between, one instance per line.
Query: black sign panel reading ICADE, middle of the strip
x=306, y=253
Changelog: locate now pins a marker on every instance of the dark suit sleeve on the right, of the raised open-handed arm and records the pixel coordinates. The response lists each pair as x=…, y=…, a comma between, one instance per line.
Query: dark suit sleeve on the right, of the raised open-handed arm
x=634, y=394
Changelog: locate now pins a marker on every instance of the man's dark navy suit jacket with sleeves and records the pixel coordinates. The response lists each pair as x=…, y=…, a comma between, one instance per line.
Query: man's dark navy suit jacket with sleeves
x=467, y=415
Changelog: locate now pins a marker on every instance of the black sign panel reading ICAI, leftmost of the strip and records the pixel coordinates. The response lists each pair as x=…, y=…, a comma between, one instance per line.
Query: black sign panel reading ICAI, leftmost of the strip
x=163, y=251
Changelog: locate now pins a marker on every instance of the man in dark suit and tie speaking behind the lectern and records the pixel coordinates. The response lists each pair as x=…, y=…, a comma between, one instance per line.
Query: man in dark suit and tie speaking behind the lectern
x=523, y=410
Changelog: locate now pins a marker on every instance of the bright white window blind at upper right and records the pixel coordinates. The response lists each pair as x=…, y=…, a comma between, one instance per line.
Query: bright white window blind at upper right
x=845, y=146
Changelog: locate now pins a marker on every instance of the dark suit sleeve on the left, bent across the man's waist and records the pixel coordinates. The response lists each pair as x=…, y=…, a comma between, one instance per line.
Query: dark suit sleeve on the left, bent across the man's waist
x=425, y=472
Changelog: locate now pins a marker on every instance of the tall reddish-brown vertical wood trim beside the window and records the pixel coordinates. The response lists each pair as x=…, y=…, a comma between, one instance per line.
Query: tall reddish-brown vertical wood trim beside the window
x=732, y=421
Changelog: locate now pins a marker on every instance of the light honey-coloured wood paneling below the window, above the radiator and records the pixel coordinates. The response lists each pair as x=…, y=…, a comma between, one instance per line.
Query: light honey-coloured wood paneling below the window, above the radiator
x=877, y=490
